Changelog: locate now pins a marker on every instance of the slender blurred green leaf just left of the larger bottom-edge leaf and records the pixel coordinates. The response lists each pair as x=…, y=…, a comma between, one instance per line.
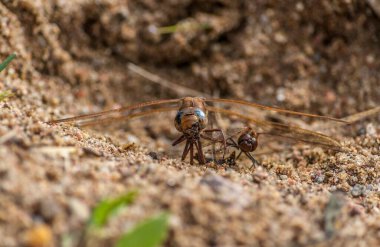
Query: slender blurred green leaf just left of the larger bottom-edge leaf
x=106, y=208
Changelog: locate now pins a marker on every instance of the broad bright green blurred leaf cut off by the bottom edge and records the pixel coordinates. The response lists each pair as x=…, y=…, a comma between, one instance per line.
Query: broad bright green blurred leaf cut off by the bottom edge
x=150, y=233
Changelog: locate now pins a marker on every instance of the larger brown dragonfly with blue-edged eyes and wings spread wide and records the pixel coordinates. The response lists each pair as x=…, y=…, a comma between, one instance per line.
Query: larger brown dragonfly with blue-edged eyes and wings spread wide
x=192, y=118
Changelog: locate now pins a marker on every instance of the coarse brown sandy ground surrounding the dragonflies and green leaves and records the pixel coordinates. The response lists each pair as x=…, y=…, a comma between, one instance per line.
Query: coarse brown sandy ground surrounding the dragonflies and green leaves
x=320, y=57
